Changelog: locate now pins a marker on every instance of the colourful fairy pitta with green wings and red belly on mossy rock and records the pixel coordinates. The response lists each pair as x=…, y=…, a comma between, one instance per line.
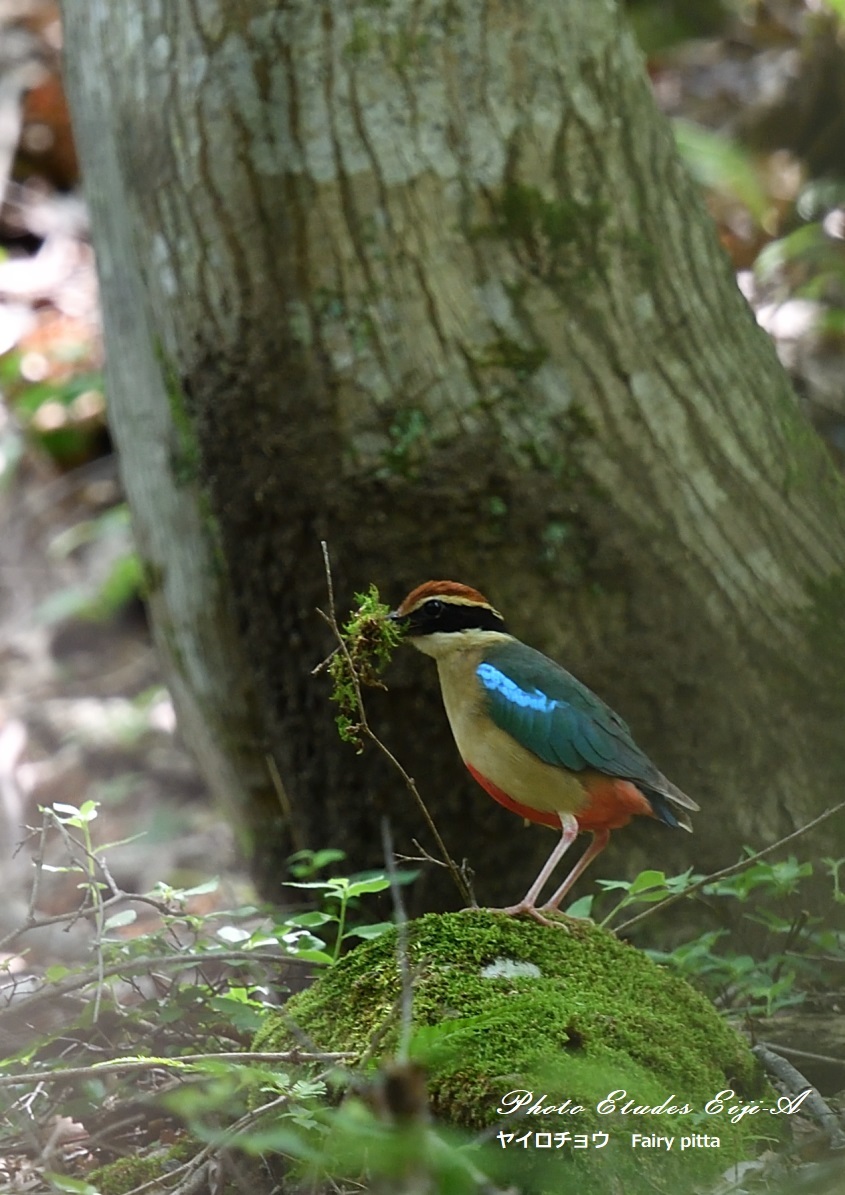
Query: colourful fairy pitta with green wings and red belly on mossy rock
x=535, y=738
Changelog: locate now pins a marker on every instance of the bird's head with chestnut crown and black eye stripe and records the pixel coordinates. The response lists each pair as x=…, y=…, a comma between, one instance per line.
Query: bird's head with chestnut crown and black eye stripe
x=444, y=616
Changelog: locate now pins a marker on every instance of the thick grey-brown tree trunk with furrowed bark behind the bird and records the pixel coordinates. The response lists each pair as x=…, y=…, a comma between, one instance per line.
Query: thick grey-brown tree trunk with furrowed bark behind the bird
x=428, y=280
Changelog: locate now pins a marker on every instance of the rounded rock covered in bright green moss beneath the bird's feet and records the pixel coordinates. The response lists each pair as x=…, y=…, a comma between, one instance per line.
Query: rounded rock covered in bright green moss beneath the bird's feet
x=505, y=1006
